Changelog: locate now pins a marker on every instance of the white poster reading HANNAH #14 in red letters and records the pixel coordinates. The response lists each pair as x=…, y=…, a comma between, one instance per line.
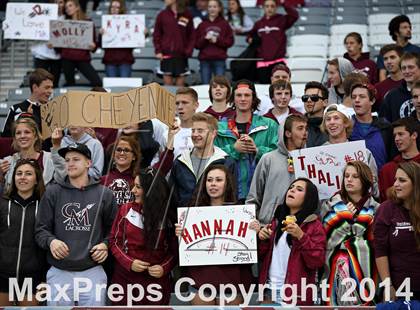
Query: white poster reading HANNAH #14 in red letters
x=217, y=235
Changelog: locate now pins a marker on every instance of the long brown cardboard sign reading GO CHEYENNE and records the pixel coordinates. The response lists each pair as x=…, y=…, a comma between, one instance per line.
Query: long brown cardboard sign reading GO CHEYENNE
x=107, y=110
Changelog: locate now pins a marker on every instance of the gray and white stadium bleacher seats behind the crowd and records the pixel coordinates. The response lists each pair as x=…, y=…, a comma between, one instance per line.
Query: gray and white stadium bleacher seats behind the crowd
x=317, y=36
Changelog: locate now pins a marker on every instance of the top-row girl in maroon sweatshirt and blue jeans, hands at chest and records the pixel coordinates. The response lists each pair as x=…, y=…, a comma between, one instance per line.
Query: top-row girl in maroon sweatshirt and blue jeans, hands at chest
x=213, y=37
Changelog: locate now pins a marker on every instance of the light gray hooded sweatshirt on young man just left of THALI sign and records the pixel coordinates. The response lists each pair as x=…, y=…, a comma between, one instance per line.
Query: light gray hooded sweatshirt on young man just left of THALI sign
x=271, y=181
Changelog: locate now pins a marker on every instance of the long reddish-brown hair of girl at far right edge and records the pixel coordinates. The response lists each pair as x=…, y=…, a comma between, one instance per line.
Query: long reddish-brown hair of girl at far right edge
x=412, y=169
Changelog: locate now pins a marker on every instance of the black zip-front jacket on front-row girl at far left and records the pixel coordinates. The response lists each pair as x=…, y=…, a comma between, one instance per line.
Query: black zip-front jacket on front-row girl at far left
x=20, y=256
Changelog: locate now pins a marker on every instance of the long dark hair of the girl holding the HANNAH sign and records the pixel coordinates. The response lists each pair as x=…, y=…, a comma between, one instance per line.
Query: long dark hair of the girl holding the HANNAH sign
x=202, y=198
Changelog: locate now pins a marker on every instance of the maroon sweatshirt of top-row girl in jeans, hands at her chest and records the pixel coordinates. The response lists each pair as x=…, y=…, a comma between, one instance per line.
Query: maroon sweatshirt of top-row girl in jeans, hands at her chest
x=214, y=51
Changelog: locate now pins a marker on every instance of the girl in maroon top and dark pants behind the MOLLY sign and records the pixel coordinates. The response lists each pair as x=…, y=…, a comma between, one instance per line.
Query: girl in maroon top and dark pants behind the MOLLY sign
x=79, y=59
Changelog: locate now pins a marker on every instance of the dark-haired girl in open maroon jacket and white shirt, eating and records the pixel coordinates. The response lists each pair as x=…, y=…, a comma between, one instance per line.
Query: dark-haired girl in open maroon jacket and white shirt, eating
x=292, y=247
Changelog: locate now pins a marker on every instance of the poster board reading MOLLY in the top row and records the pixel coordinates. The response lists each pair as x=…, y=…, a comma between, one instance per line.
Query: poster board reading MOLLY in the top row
x=71, y=34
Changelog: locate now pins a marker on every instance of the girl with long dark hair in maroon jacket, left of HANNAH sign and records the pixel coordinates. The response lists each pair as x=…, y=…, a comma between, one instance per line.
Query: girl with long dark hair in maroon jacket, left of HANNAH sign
x=141, y=241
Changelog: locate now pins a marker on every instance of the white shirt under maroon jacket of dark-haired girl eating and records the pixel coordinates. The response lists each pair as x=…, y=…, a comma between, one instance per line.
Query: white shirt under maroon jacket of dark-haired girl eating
x=279, y=261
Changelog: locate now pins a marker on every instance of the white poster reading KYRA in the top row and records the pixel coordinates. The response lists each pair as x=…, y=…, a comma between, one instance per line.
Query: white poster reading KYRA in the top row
x=123, y=31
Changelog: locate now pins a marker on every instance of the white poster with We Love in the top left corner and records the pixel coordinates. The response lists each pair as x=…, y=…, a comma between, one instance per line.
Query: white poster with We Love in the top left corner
x=29, y=21
